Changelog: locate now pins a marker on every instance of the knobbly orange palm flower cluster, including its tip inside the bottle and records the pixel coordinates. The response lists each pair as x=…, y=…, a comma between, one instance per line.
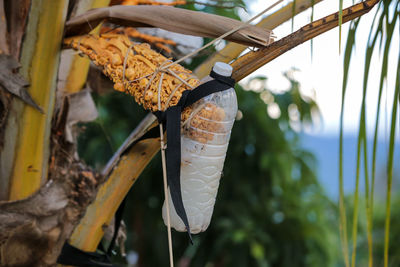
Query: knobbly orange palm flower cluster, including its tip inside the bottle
x=136, y=69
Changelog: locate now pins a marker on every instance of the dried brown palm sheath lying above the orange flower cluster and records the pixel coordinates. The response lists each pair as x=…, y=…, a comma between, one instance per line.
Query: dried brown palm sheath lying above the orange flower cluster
x=171, y=19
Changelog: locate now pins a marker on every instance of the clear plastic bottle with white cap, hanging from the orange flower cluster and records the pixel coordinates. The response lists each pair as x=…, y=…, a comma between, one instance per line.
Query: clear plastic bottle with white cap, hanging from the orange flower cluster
x=204, y=141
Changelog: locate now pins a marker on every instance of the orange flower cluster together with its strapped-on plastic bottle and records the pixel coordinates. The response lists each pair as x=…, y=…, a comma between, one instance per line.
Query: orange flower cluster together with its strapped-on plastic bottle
x=198, y=116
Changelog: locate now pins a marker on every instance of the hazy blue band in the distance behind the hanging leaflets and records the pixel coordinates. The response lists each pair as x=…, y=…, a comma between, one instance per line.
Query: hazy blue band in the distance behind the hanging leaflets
x=326, y=151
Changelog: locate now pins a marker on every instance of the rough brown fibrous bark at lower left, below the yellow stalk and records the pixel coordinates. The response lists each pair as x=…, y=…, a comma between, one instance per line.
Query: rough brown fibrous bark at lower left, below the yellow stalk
x=33, y=230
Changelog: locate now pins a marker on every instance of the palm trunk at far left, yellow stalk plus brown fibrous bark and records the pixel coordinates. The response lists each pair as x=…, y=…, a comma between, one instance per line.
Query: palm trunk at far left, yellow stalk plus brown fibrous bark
x=34, y=150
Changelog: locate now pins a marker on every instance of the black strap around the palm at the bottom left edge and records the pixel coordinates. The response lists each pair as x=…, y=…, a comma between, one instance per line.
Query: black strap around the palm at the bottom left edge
x=71, y=255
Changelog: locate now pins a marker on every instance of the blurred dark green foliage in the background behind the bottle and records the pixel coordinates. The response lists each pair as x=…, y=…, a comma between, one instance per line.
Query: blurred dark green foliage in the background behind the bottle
x=270, y=209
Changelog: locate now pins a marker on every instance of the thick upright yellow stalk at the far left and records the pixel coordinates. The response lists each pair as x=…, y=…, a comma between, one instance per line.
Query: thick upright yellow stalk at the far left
x=40, y=60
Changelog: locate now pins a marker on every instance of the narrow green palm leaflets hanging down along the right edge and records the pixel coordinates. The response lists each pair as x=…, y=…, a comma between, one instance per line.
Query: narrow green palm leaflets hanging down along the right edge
x=381, y=34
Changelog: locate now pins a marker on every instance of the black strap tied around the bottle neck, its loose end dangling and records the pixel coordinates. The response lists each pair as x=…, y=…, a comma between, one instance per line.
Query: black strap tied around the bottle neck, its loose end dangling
x=172, y=118
